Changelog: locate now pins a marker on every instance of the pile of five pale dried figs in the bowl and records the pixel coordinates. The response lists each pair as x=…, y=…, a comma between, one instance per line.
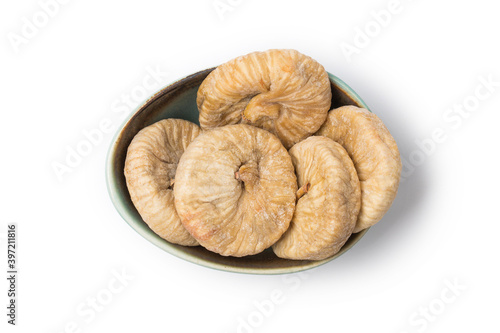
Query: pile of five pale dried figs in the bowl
x=270, y=166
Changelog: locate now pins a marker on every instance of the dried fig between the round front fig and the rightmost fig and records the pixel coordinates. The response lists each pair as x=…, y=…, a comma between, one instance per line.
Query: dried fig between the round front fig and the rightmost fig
x=329, y=199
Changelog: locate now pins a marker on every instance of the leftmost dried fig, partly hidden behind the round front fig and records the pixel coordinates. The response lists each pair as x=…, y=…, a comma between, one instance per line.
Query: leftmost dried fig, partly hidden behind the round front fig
x=150, y=169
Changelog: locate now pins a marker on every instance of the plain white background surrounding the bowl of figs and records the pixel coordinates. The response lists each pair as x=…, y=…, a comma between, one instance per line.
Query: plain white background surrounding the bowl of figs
x=442, y=229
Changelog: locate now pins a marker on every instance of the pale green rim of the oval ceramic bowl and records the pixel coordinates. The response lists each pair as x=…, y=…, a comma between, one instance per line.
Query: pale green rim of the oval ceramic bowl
x=120, y=205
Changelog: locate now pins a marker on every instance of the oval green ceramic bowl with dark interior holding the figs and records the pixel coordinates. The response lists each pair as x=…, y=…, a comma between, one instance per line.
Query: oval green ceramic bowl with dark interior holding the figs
x=178, y=100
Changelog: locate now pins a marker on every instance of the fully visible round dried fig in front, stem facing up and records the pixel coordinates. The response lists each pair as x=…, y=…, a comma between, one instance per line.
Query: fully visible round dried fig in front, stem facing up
x=235, y=190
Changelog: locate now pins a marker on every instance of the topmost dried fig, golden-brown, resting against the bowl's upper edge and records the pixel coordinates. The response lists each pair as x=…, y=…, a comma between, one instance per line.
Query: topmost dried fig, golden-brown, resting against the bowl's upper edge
x=282, y=91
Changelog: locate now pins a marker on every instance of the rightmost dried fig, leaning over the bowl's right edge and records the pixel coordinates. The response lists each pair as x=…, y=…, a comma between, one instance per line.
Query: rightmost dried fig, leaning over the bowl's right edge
x=375, y=156
